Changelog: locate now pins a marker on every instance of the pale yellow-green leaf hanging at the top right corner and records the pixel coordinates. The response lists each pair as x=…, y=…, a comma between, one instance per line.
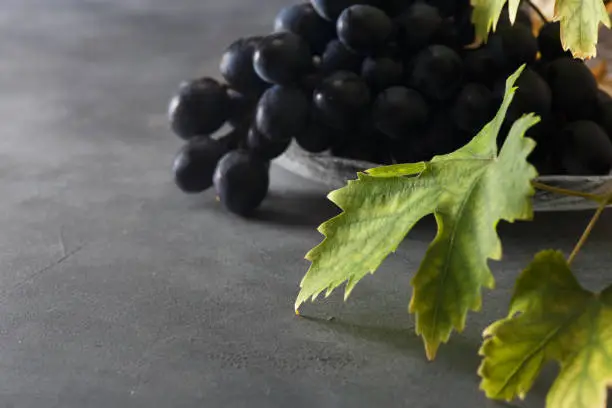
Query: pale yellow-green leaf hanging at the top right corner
x=580, y=25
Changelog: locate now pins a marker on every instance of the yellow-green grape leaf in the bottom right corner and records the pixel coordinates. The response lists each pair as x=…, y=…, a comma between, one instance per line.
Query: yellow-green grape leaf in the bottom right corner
x=552, y=318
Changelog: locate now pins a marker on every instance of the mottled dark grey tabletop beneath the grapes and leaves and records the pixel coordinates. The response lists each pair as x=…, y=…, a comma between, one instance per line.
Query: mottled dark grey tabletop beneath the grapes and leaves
x=118, y=291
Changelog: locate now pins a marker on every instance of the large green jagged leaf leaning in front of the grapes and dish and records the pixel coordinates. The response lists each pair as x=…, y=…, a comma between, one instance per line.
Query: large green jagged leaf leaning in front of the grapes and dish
x=468, y=191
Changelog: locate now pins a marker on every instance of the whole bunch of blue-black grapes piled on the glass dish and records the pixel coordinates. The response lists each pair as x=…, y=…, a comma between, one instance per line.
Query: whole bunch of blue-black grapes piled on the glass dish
x=386, y=81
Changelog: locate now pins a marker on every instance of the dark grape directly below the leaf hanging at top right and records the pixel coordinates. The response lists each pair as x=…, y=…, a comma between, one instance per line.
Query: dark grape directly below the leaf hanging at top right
x=574, y=89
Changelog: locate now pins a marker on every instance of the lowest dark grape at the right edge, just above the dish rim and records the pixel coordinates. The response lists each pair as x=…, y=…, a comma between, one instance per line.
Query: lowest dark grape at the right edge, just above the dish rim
x=586, y=149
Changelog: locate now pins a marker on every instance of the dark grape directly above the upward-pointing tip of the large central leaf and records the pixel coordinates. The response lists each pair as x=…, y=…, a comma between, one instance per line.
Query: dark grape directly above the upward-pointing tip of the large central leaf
x=513, y=46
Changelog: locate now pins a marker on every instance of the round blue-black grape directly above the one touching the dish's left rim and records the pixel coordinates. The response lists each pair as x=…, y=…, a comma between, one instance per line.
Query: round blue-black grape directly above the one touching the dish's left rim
x=282, y=113
